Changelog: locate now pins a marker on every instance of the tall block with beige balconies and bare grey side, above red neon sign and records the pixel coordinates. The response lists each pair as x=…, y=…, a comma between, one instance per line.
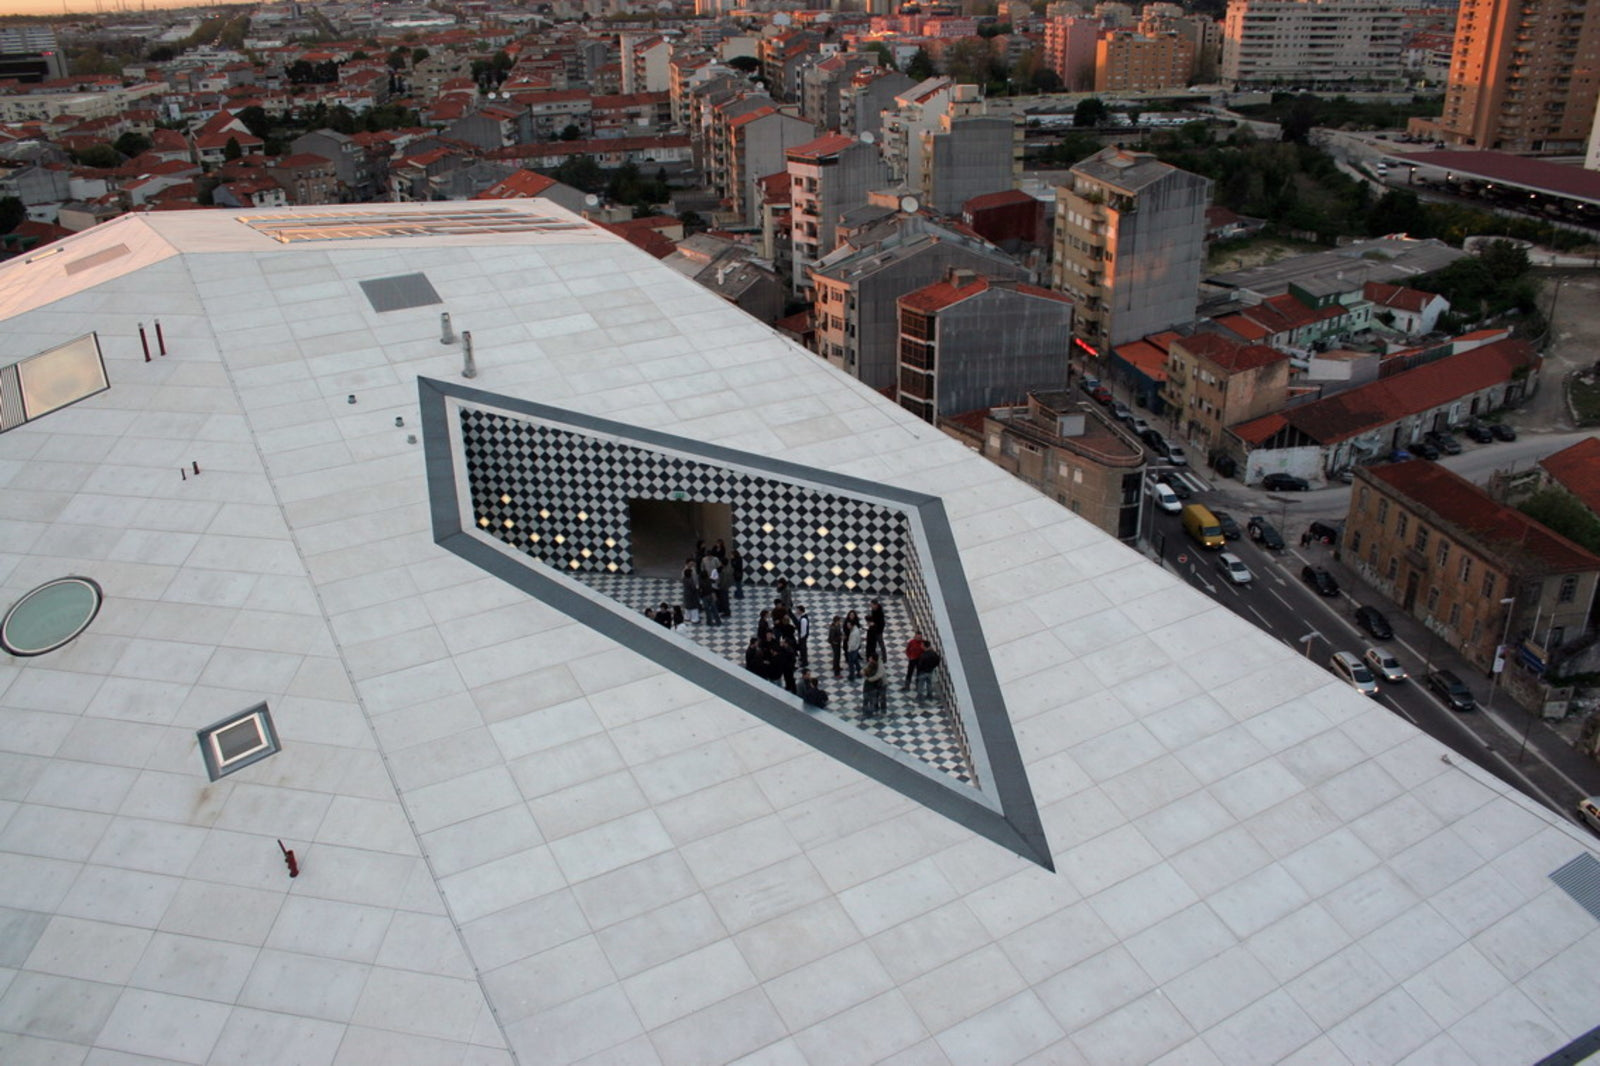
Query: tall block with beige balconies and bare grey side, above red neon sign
x=1130, y=242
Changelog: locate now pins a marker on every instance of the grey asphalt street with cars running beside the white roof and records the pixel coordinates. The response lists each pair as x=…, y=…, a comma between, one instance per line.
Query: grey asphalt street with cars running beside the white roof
x=1286, y=607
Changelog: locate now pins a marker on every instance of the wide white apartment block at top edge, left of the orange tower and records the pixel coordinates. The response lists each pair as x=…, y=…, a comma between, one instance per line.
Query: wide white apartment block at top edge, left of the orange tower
x=1314, y=44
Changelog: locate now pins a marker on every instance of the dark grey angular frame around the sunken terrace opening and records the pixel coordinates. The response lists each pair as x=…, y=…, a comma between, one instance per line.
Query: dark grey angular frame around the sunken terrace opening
x=1002, y=809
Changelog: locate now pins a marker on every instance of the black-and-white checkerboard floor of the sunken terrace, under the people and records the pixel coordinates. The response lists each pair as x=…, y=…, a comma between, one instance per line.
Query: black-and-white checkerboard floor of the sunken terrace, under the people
x=919, y=727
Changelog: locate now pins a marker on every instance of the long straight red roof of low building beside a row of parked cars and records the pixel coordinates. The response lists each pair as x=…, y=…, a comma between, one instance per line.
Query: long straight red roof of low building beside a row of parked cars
x=1410, y=393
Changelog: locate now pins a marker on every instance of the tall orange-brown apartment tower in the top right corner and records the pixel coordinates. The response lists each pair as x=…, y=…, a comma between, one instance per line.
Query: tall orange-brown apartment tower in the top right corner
x=1524, y=78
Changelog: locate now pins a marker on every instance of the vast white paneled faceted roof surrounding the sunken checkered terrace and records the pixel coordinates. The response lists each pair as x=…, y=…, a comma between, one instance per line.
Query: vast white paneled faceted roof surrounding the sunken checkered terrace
x=530, y=833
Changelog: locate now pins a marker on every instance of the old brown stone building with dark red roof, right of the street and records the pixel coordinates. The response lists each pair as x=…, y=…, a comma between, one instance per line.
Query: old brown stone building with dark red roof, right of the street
x=1473, y=571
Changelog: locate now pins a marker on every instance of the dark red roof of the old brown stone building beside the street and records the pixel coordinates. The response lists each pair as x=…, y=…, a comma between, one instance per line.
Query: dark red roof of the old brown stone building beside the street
x=1478, y=516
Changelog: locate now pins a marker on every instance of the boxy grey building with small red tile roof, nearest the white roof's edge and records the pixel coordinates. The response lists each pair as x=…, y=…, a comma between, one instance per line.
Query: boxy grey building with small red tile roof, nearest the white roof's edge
x=969, y=343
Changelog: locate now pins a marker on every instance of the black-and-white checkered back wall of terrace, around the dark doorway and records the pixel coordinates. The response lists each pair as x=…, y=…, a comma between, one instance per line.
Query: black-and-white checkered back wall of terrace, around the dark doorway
x=562, y=497
